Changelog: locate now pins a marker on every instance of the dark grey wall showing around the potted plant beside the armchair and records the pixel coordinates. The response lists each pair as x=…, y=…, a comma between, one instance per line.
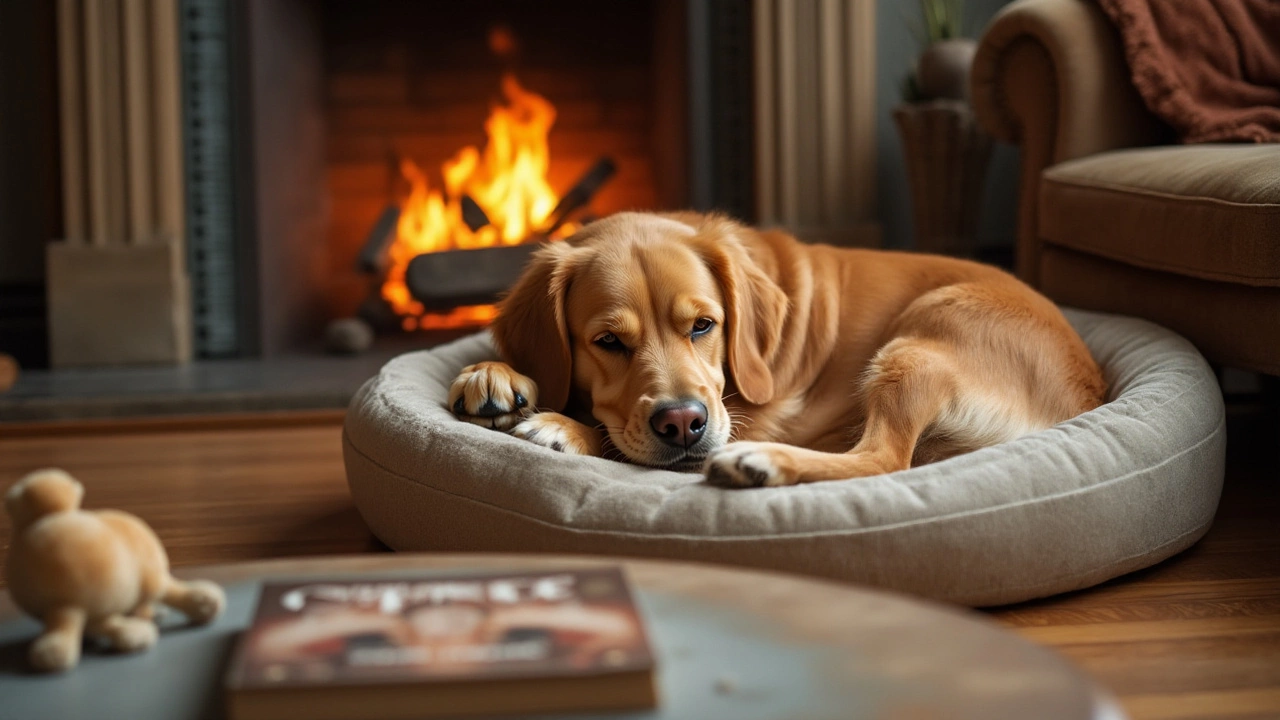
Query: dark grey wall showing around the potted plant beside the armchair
x=898, y=47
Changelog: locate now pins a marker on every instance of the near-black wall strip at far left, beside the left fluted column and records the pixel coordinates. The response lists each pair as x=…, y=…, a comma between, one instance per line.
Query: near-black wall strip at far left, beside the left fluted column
x=30, y=203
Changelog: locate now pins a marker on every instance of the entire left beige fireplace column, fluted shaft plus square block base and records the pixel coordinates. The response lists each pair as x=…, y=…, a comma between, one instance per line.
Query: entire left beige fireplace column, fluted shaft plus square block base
x=117, y=282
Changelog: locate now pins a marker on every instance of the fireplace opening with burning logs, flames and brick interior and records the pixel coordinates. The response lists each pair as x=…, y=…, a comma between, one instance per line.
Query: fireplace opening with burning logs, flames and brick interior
x=452, y=129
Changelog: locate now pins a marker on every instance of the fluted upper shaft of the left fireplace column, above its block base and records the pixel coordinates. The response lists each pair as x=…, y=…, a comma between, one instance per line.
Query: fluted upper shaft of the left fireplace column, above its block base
x=121, y=121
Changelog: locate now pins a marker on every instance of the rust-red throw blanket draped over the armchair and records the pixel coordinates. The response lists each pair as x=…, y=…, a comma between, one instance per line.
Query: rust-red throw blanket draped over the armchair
x=1210, y=69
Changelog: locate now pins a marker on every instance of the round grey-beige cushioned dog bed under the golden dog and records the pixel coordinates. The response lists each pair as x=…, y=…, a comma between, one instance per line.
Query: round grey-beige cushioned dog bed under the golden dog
x=1112, y=491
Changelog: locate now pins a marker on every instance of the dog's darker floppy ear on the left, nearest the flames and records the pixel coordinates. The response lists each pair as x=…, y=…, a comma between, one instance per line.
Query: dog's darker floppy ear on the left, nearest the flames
x=532, y=332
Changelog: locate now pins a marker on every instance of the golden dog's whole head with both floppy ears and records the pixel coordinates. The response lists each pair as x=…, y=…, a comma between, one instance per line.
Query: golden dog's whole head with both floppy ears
x=638, y=318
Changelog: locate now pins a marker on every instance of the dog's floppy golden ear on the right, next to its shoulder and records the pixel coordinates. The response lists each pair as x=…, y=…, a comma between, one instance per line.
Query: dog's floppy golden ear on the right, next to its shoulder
x=756, y=311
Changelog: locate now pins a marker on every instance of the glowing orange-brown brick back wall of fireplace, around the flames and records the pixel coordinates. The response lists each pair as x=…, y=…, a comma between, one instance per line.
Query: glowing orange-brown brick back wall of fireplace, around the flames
x=417, y=81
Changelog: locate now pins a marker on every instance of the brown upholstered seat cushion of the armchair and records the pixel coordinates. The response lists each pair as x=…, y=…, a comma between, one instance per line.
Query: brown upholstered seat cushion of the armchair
x=1210, y=212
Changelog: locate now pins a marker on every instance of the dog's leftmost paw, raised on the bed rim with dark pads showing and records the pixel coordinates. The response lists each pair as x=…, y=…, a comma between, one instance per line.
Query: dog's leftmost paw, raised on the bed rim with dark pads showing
x=492, y=395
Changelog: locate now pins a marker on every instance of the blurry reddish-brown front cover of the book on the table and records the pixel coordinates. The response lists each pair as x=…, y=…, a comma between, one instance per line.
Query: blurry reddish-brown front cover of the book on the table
x=442, y=628
